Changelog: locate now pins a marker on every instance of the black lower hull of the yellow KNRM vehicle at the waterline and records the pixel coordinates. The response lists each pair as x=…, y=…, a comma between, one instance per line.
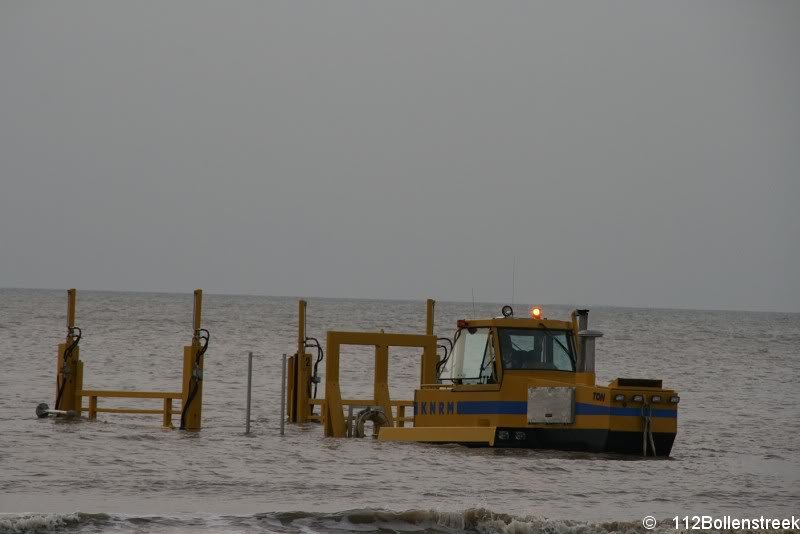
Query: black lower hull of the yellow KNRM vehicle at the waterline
x=568, y=439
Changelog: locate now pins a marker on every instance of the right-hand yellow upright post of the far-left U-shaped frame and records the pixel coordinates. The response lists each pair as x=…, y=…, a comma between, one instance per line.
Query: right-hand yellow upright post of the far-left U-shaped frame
x=192, y=392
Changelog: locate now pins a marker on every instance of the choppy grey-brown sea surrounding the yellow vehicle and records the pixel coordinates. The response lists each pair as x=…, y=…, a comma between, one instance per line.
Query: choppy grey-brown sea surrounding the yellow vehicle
x=737, y=452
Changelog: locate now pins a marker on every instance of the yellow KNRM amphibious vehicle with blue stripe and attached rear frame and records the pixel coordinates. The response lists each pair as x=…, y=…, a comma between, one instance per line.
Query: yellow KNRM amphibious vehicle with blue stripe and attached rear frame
x=500, y=382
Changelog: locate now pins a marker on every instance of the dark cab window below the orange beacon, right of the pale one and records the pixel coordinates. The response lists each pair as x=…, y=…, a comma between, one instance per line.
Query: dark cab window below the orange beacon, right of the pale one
x=540, y=349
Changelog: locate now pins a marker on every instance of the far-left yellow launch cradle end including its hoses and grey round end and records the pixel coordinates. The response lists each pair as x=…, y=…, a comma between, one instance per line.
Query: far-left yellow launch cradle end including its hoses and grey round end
x=69, y=378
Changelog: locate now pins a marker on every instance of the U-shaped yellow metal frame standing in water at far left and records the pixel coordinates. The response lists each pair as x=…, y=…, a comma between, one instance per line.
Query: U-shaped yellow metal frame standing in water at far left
x=74, y=392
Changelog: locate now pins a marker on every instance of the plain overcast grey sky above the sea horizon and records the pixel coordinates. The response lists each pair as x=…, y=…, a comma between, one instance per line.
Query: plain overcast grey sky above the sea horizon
x=628, y=153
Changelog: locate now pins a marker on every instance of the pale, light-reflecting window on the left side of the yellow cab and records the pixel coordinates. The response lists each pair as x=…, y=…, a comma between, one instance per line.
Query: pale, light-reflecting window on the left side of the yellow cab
x=473, y=357
